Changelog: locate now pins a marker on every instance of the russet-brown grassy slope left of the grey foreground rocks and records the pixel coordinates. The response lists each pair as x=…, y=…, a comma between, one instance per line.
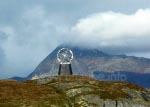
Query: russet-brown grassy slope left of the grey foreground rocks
x=16, y=94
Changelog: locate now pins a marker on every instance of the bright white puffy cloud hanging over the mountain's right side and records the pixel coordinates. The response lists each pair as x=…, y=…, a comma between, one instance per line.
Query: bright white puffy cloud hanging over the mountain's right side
x=109, y=30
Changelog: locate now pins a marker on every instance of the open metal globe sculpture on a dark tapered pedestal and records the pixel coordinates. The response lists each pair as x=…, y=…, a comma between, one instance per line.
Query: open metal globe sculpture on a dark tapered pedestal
x=64, y=57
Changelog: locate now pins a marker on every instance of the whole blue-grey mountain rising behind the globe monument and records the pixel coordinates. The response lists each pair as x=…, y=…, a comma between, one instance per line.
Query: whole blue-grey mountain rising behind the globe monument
x=100, y=65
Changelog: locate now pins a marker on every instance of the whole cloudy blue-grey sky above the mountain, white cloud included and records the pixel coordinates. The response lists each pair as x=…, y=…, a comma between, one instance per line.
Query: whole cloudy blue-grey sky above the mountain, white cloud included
x=31, y=29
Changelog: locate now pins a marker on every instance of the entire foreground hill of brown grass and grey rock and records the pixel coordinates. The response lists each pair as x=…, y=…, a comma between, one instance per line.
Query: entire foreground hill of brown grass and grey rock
x=72, y=91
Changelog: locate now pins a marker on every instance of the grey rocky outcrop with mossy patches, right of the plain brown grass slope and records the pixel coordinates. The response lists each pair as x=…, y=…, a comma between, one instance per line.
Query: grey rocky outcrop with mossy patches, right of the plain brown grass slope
x=87, y=92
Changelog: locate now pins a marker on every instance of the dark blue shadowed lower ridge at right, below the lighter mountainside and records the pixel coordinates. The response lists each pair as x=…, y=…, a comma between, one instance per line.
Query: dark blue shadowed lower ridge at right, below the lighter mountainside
x=141, y=79
